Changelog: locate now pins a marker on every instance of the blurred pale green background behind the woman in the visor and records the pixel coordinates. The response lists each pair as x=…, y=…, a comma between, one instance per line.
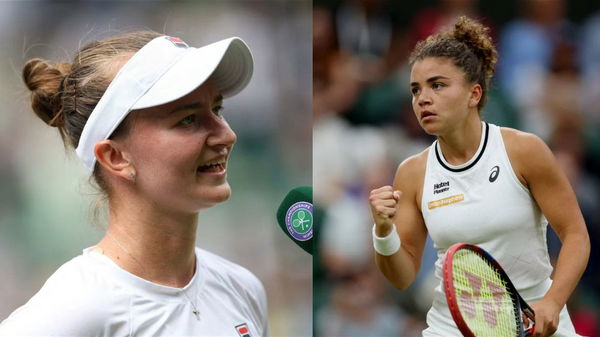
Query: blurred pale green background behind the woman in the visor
x=46, y=200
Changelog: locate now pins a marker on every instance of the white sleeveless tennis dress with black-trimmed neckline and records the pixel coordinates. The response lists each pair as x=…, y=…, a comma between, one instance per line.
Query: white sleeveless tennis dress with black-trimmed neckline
x=483, y=202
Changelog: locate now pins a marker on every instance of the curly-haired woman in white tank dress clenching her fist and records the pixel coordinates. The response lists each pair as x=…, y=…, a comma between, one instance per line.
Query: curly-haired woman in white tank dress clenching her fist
x=477, y=183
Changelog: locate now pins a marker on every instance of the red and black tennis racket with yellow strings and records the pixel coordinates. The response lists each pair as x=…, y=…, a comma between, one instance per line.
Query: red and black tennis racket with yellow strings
x=481, y=298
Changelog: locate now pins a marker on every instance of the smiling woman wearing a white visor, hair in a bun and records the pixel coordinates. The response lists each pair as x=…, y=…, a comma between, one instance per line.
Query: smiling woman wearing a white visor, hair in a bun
x=143, y=113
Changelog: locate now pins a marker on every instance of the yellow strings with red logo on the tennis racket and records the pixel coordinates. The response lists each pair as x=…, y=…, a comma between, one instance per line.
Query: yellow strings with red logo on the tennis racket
x=482, y=295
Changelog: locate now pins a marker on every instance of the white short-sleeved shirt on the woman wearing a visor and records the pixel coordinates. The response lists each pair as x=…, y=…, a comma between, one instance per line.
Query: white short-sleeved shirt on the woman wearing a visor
x=92, y=296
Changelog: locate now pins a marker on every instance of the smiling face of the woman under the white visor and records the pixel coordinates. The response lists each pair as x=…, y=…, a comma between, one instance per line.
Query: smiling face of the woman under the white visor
x=180, y=151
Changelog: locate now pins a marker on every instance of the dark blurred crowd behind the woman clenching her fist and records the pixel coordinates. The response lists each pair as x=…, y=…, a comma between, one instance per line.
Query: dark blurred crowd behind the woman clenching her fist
x=547, y=82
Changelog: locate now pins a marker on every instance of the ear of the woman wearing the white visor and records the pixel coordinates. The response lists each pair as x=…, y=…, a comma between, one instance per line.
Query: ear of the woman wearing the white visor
x=114, y=159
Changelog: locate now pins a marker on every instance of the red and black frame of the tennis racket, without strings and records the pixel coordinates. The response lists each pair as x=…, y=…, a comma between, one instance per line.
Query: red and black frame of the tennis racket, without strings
x=448, y=279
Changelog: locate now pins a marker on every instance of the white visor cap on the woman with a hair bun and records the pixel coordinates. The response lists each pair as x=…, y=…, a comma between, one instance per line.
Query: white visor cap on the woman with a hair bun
x=164, y=70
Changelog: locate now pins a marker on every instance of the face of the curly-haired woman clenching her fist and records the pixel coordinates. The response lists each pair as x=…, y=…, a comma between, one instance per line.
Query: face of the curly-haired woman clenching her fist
x=440, y=94
